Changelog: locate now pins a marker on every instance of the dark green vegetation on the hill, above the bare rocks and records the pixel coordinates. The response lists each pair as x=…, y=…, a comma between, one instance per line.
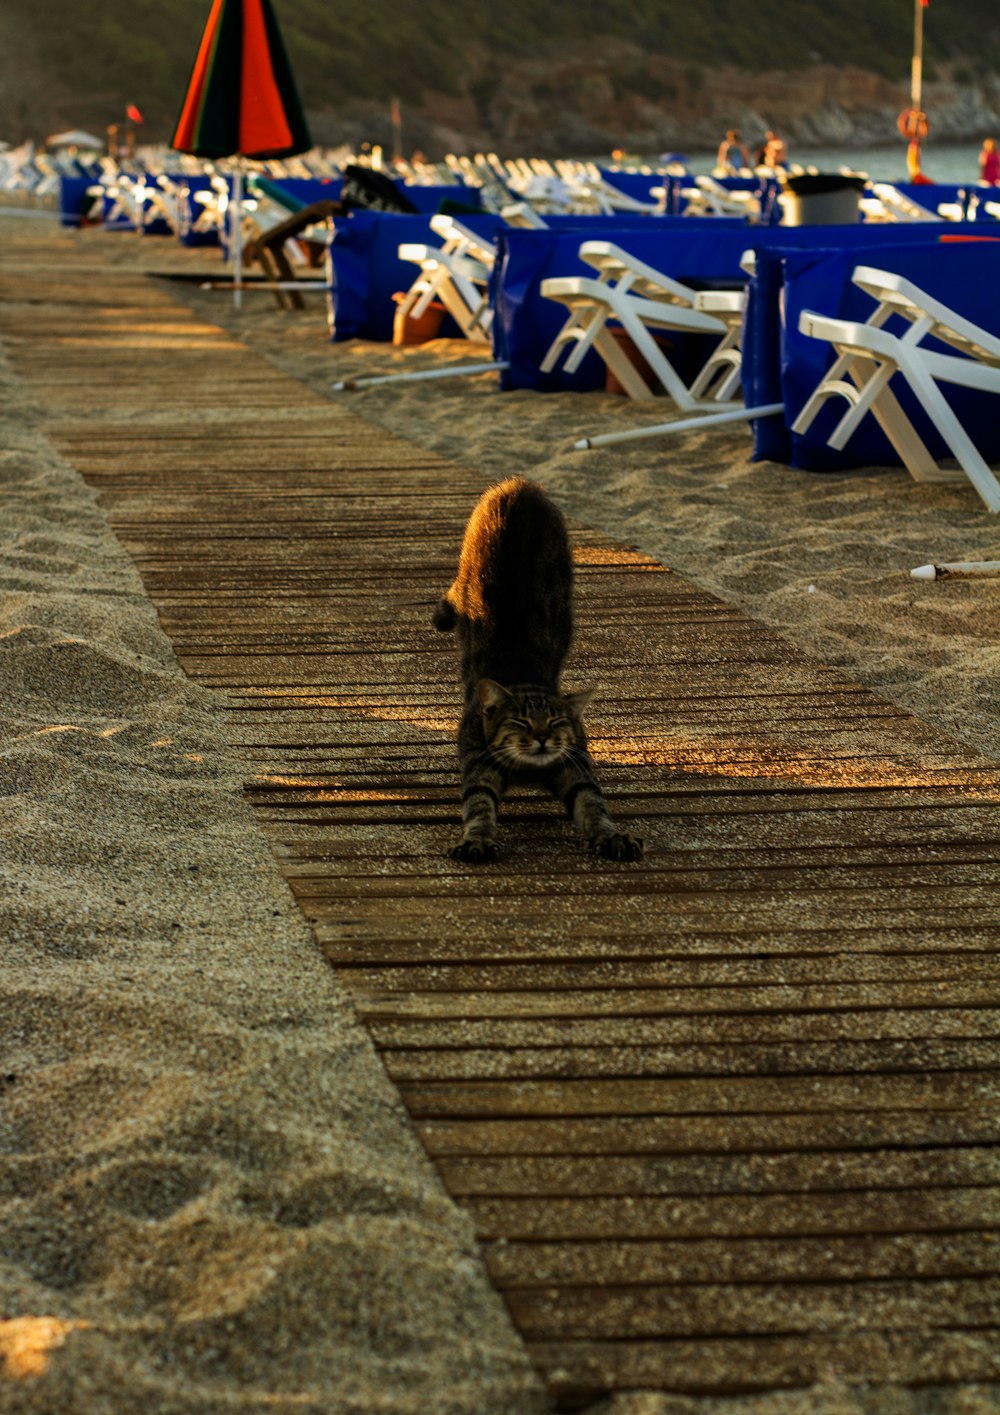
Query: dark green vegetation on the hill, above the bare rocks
x=83, y=63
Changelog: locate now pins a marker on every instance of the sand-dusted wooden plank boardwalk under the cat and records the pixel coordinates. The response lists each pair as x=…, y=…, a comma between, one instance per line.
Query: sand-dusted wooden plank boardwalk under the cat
x=726, y=1121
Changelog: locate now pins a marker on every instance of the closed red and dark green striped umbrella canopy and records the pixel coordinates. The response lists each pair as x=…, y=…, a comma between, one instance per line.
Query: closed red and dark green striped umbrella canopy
x=241, y=98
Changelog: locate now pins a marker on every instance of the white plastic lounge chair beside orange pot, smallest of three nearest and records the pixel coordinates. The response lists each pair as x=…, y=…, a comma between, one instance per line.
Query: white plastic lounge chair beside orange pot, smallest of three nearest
x=458, y=274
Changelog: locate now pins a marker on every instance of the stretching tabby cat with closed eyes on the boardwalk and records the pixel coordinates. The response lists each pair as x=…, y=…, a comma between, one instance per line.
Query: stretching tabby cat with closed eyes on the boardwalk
x=511, y=605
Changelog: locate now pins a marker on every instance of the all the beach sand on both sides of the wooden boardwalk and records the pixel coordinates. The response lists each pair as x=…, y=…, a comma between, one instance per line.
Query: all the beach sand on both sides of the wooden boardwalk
x=213, y=1199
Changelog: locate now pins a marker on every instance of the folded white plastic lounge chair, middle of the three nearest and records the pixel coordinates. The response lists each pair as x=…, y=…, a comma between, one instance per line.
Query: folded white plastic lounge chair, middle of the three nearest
x=637, y=298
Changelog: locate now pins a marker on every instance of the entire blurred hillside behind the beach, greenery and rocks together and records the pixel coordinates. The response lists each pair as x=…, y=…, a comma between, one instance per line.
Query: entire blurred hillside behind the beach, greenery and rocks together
x=568, y=77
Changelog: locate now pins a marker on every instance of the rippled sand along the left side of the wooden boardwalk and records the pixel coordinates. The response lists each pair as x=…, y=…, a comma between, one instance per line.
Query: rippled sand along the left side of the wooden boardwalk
x=213, y=1199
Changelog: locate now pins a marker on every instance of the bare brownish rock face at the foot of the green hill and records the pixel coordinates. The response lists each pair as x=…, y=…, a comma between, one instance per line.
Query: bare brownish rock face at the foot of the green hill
x=623, y=98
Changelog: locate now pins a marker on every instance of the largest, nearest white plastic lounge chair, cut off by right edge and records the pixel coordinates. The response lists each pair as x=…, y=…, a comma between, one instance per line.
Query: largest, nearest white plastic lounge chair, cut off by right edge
x=869, y=357
